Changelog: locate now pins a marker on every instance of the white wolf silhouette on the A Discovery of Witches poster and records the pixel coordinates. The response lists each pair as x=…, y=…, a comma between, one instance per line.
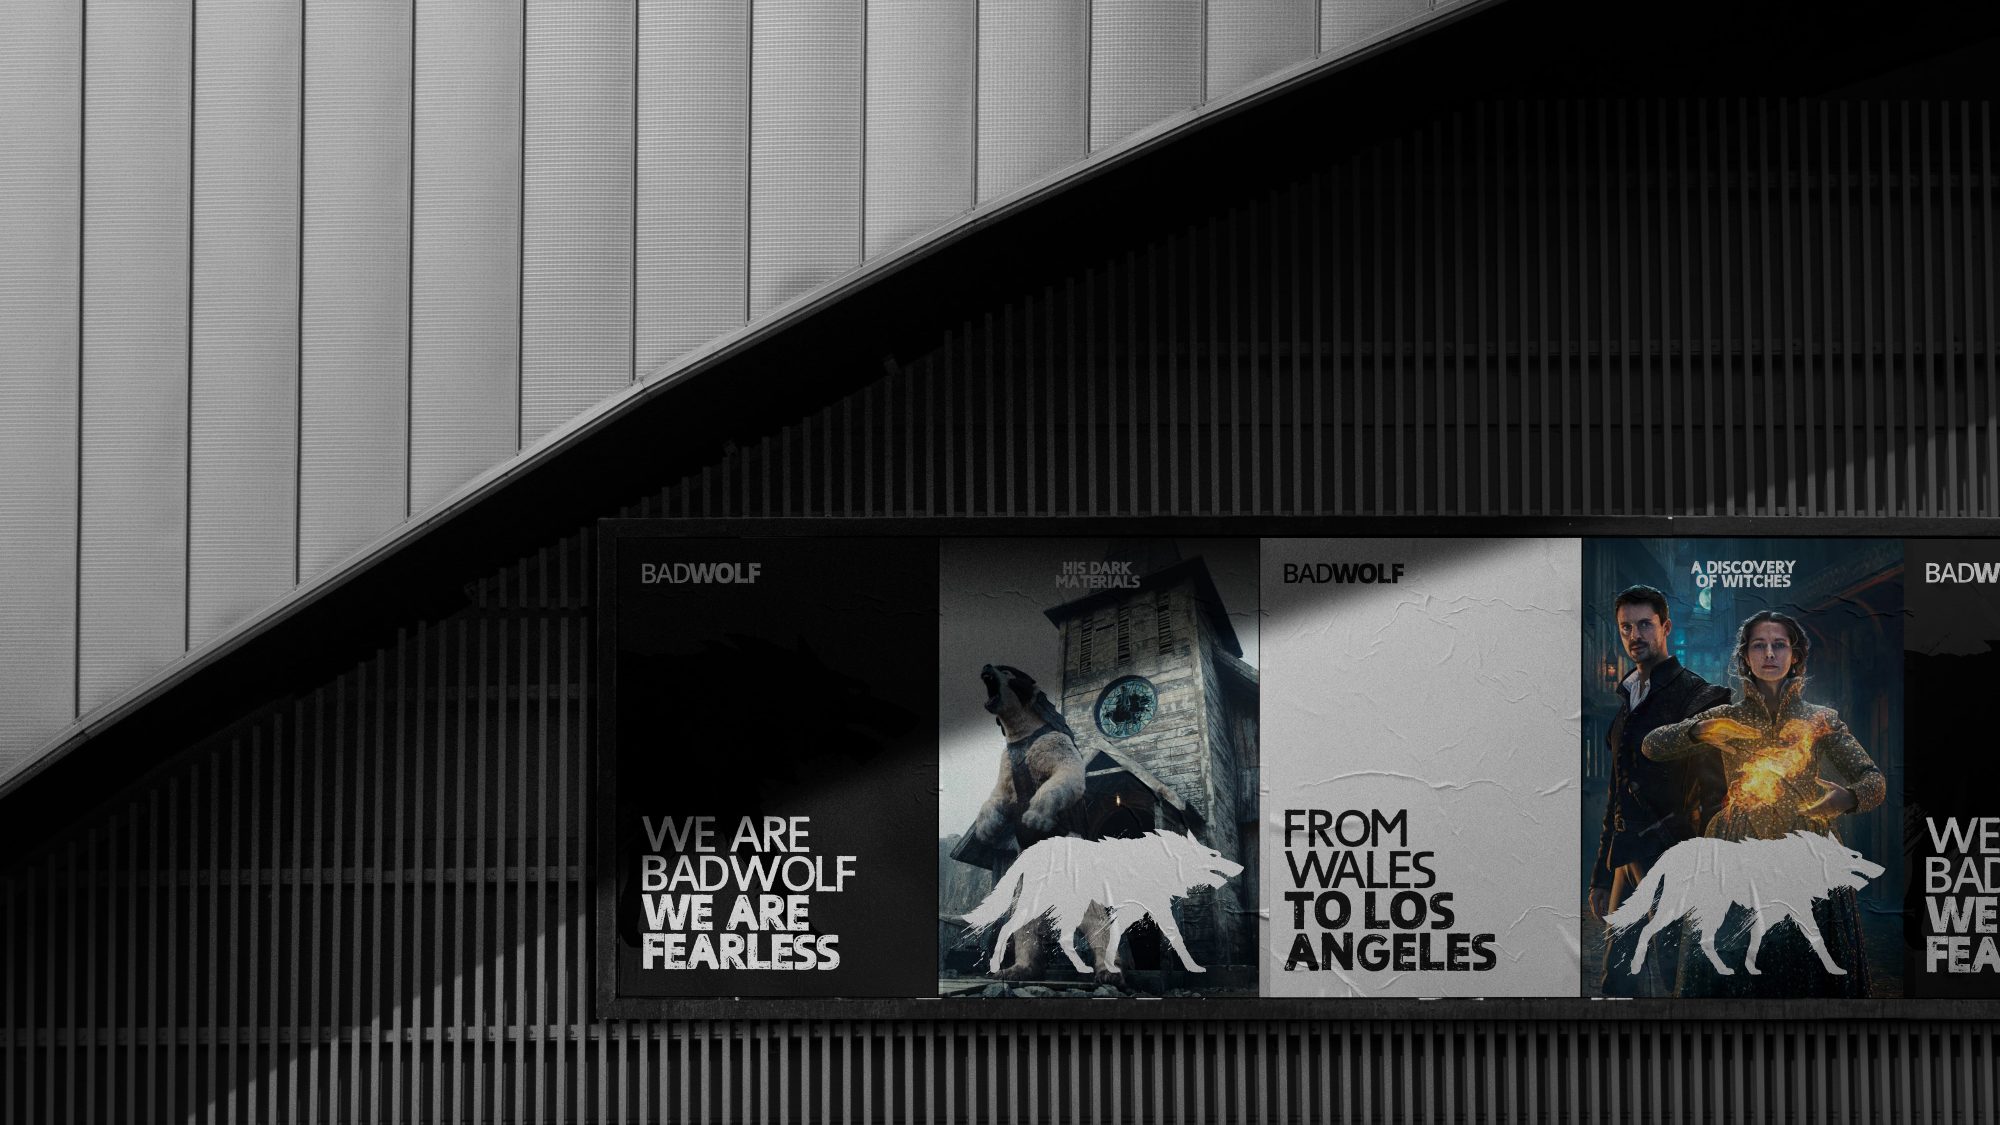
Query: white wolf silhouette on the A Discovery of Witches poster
x=1773, y=880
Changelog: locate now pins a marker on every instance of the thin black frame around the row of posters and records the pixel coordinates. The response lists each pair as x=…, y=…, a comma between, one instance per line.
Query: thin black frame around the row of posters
x=917, y=1008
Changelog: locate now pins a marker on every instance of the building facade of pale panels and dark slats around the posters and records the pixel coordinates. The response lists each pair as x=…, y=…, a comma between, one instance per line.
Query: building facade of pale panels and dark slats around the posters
x=329, y=331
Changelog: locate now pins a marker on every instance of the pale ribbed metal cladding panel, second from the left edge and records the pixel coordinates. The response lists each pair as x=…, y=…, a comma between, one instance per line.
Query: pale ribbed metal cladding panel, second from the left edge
x=135, y=433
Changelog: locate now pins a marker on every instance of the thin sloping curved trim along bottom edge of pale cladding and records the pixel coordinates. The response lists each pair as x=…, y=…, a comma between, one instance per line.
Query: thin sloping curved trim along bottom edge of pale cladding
x=717, y=353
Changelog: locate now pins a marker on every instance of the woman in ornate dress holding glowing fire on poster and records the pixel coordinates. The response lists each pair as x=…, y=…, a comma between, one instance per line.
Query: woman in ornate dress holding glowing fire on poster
x=1775, y=748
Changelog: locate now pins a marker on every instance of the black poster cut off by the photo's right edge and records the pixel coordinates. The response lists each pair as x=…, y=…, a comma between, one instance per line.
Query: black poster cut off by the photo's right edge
x=1953, y=818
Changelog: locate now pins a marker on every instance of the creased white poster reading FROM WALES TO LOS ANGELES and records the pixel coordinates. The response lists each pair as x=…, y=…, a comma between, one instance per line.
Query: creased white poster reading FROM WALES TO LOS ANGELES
x=1449, y=696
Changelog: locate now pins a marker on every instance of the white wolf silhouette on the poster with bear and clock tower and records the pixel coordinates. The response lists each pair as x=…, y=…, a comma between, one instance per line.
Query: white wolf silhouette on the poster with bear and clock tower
x=1129, y=878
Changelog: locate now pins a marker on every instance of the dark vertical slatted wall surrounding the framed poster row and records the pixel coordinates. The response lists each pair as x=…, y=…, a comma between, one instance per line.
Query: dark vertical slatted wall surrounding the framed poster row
x=369, y=904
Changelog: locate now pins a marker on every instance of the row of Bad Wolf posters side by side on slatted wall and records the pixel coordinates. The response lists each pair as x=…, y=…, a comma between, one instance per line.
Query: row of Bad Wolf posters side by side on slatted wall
x=1295, y=768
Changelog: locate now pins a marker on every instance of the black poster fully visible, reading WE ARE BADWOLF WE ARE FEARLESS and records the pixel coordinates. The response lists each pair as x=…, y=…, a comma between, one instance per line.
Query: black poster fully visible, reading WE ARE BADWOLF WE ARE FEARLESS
x=769, y=768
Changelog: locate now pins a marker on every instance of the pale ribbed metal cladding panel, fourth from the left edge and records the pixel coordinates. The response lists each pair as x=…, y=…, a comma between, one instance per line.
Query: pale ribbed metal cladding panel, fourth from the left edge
x=355, y=325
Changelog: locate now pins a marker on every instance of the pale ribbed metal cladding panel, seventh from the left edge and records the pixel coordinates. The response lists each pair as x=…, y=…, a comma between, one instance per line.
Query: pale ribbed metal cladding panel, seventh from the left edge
x=693, y=175
